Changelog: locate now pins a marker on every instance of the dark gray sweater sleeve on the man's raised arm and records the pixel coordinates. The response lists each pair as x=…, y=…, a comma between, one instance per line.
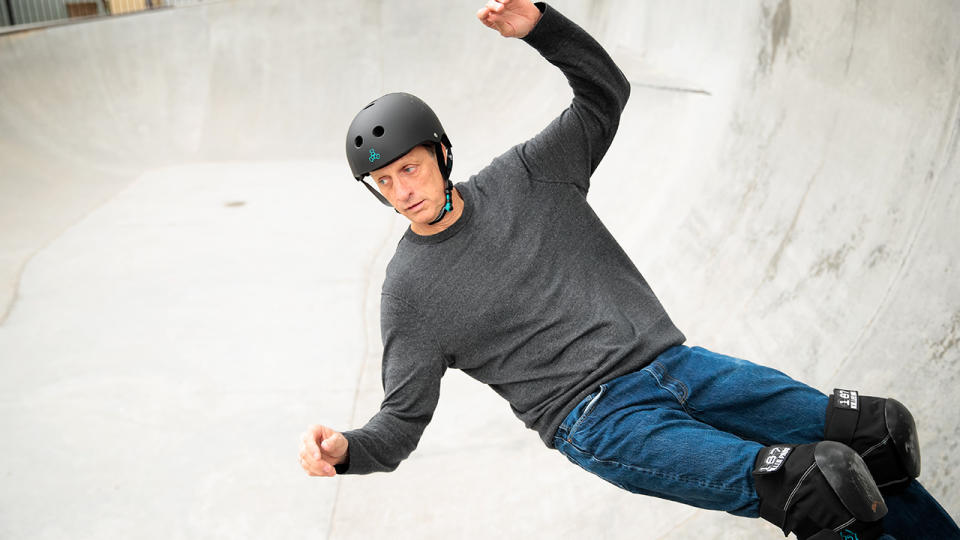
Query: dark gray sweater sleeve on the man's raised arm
x=570, y=148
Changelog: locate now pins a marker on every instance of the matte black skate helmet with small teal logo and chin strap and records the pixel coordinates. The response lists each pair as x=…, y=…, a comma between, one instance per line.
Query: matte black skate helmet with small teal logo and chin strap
x=387, y=129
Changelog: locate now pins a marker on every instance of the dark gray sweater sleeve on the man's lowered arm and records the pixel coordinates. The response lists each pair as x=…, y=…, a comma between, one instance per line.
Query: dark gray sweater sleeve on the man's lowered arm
x=412, y=369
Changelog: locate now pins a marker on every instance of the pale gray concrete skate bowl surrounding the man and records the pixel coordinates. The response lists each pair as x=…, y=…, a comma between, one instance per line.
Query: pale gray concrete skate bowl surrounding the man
x=188, y=275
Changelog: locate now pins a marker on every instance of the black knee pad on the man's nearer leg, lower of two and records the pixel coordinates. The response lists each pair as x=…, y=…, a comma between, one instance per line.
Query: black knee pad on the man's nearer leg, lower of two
x=818, y=488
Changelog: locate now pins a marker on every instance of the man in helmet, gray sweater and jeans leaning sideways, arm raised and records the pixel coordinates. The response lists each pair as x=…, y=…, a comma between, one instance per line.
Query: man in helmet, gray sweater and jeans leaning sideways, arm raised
x=512, y=278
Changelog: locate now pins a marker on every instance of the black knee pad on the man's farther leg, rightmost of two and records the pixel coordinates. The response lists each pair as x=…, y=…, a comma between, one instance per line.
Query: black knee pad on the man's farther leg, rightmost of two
x=881, y=430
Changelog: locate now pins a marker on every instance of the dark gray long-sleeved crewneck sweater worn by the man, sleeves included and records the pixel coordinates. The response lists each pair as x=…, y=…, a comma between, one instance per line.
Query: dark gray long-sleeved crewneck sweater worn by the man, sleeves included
x=527, y=292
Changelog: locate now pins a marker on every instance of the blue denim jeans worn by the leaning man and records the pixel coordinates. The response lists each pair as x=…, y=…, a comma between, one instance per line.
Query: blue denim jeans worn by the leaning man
x=688, y=427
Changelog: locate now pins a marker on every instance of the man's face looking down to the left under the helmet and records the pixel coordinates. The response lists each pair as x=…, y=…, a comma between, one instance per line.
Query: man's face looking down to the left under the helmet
x=413, y=185
